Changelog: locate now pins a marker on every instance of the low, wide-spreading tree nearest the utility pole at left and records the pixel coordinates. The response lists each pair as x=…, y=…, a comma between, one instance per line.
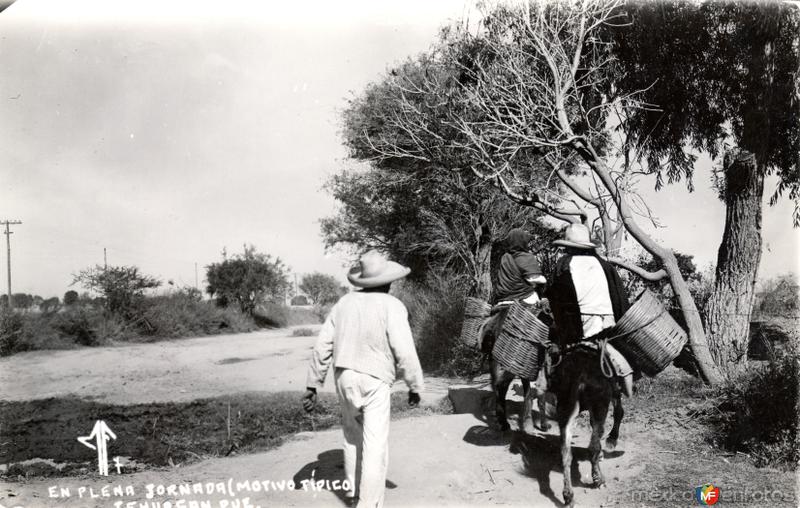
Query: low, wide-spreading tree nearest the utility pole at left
x=121, y=287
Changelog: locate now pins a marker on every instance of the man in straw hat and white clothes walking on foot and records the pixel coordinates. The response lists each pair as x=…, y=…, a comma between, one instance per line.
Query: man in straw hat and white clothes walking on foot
x=367, y=338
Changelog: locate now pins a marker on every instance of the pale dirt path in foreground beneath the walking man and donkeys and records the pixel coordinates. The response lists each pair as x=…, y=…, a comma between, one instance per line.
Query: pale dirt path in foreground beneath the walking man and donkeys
x=452, y=460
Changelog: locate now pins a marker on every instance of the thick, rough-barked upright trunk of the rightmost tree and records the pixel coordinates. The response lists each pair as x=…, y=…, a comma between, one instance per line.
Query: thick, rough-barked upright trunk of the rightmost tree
x=730, y=305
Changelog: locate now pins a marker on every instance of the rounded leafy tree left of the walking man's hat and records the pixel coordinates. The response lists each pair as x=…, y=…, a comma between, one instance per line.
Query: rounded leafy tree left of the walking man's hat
x=247, y=279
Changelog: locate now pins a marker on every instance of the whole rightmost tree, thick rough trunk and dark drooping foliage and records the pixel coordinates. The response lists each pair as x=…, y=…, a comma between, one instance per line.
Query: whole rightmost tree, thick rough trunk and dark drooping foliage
x=722, y=77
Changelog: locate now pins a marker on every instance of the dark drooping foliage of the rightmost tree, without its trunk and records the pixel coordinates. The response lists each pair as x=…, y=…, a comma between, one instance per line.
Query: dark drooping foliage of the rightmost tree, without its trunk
x=715, y=75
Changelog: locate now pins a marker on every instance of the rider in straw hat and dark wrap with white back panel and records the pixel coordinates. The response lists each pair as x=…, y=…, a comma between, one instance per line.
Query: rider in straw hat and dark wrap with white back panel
x=587, y=298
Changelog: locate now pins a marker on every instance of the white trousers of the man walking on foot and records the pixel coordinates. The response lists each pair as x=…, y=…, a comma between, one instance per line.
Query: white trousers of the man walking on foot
x=365, y=422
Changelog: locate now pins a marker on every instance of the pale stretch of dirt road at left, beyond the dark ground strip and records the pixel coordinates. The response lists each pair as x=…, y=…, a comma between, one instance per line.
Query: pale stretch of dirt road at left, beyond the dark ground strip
x=170, y=371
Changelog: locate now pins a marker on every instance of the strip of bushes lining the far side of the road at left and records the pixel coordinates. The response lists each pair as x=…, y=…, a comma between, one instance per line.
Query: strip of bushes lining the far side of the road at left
x=121, y=304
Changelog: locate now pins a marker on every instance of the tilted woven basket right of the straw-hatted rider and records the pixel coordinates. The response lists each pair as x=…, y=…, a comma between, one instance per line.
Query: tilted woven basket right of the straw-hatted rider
x=647, y=335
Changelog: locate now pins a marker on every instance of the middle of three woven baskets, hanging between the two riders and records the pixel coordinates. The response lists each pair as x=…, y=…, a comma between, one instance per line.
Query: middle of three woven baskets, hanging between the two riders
x=519, y=345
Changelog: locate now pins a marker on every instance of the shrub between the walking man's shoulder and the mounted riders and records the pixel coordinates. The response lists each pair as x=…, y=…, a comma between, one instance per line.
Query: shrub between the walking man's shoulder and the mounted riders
x=436, y=312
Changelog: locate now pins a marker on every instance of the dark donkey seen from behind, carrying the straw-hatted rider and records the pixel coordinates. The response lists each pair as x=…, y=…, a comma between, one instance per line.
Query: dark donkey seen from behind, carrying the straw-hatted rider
x=580, y=385
